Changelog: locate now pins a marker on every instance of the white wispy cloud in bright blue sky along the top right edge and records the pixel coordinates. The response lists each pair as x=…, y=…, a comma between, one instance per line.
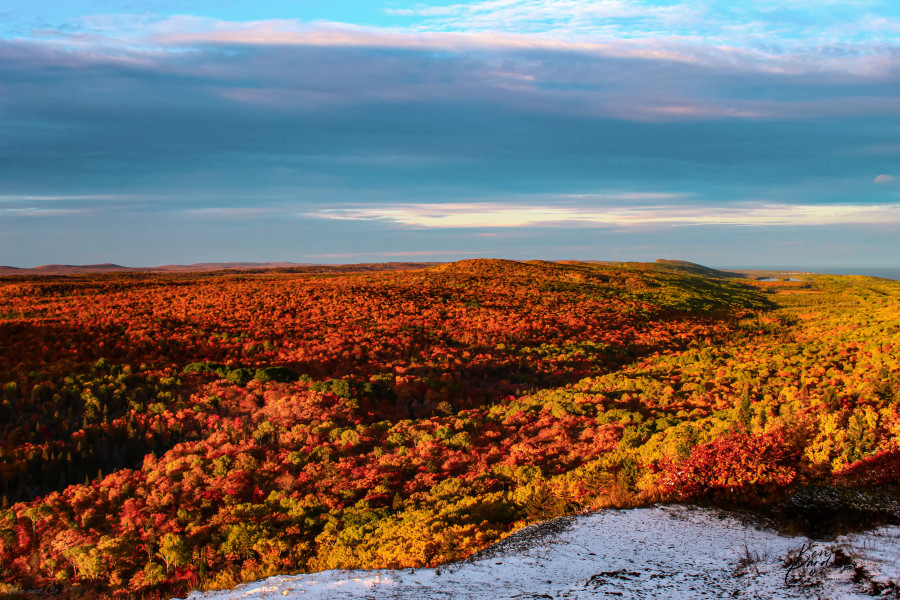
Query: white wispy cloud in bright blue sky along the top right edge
x=719, y=22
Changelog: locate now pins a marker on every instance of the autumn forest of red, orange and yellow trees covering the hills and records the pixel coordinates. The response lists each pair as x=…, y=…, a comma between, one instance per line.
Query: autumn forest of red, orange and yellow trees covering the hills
x=161, y=433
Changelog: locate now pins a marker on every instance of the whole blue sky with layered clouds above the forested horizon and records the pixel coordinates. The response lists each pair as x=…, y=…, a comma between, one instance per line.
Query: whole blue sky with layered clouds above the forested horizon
x=724, y=133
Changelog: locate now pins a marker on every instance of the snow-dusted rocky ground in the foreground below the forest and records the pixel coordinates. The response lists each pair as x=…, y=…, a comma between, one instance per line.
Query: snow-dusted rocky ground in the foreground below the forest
x=669, y=552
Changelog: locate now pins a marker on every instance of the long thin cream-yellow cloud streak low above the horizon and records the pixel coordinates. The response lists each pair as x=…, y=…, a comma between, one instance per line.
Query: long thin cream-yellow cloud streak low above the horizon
x=491, y=215
